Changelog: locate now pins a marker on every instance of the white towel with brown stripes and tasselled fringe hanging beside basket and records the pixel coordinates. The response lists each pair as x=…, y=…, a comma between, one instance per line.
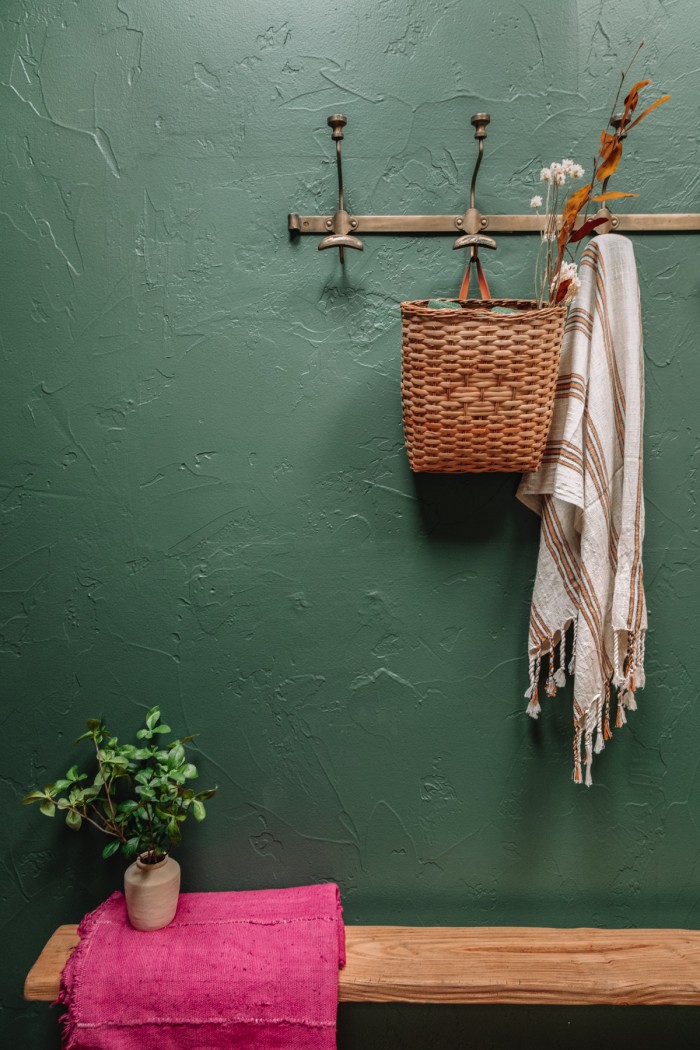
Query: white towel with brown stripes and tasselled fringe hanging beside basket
x=589, y=495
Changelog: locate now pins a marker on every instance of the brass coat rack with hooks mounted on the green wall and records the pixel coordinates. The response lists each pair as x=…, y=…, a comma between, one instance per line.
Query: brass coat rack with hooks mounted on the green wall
x=341, y=230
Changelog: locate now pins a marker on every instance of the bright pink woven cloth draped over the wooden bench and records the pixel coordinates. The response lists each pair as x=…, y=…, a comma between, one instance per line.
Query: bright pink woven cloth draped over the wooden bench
x=256, y=971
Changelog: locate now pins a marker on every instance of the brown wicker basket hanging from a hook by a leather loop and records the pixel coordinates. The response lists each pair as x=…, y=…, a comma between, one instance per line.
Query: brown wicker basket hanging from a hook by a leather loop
x=478, y=388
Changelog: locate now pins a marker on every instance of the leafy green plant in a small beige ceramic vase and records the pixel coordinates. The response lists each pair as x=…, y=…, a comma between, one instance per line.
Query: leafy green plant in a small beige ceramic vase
x=139, y=795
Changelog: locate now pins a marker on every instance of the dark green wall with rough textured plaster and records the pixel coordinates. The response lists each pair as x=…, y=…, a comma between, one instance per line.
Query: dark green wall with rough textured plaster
x=205, y=499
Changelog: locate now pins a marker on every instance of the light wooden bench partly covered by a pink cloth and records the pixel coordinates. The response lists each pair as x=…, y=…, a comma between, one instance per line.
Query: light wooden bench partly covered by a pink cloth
x=442, y=964
